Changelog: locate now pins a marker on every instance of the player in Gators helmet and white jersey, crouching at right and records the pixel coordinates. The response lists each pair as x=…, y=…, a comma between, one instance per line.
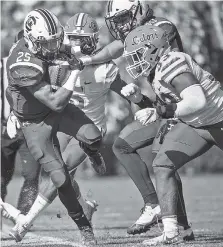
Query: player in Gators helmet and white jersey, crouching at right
x=192, y=101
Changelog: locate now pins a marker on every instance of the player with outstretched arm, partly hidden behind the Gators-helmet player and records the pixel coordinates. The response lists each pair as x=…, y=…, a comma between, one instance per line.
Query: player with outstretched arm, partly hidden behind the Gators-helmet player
x=121, y=18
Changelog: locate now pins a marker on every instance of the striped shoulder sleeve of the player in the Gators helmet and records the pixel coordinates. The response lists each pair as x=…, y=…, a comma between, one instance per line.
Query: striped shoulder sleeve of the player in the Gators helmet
x=171, y=65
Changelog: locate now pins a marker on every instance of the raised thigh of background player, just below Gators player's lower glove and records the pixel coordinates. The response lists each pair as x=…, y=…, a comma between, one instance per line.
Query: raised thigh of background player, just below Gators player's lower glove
x=138, y=135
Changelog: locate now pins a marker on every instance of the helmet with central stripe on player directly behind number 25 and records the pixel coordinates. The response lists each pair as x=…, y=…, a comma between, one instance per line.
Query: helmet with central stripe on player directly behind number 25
x=82, y=31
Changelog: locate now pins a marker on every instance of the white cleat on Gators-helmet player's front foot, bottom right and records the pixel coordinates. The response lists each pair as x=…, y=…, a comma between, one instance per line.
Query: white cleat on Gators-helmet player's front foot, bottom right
x=164, y=240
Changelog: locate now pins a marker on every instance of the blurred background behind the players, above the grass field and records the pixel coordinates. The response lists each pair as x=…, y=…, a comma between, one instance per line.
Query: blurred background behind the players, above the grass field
x=200, y=25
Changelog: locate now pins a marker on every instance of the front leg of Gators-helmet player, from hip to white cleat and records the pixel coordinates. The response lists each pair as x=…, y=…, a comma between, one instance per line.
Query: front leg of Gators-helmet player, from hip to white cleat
x=181, y=144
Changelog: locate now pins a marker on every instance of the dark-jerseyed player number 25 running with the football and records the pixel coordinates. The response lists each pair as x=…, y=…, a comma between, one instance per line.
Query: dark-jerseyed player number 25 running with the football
x=42, y=112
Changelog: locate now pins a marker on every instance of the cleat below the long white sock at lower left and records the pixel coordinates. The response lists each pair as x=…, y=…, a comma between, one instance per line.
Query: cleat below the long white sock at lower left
x=20, y=229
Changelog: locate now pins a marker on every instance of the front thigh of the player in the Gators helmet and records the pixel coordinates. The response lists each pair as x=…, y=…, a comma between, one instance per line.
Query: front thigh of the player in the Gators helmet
x=181, y=145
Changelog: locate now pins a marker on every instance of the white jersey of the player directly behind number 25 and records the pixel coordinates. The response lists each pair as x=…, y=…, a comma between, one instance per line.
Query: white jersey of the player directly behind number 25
x=91, y=91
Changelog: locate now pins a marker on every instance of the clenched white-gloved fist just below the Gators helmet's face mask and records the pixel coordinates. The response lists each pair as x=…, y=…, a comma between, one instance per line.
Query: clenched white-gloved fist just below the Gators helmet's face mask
x=132, y=92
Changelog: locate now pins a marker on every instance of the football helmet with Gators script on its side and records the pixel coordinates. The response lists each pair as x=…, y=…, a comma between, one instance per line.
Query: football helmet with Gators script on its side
x=143, y=48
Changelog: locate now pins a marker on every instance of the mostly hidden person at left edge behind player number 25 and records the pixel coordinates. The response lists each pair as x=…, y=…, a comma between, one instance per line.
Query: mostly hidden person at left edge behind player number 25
x=9, y=148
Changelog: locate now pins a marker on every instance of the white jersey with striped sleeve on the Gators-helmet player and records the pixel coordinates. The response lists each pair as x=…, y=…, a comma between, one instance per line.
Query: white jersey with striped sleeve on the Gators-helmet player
x=175, y=63
